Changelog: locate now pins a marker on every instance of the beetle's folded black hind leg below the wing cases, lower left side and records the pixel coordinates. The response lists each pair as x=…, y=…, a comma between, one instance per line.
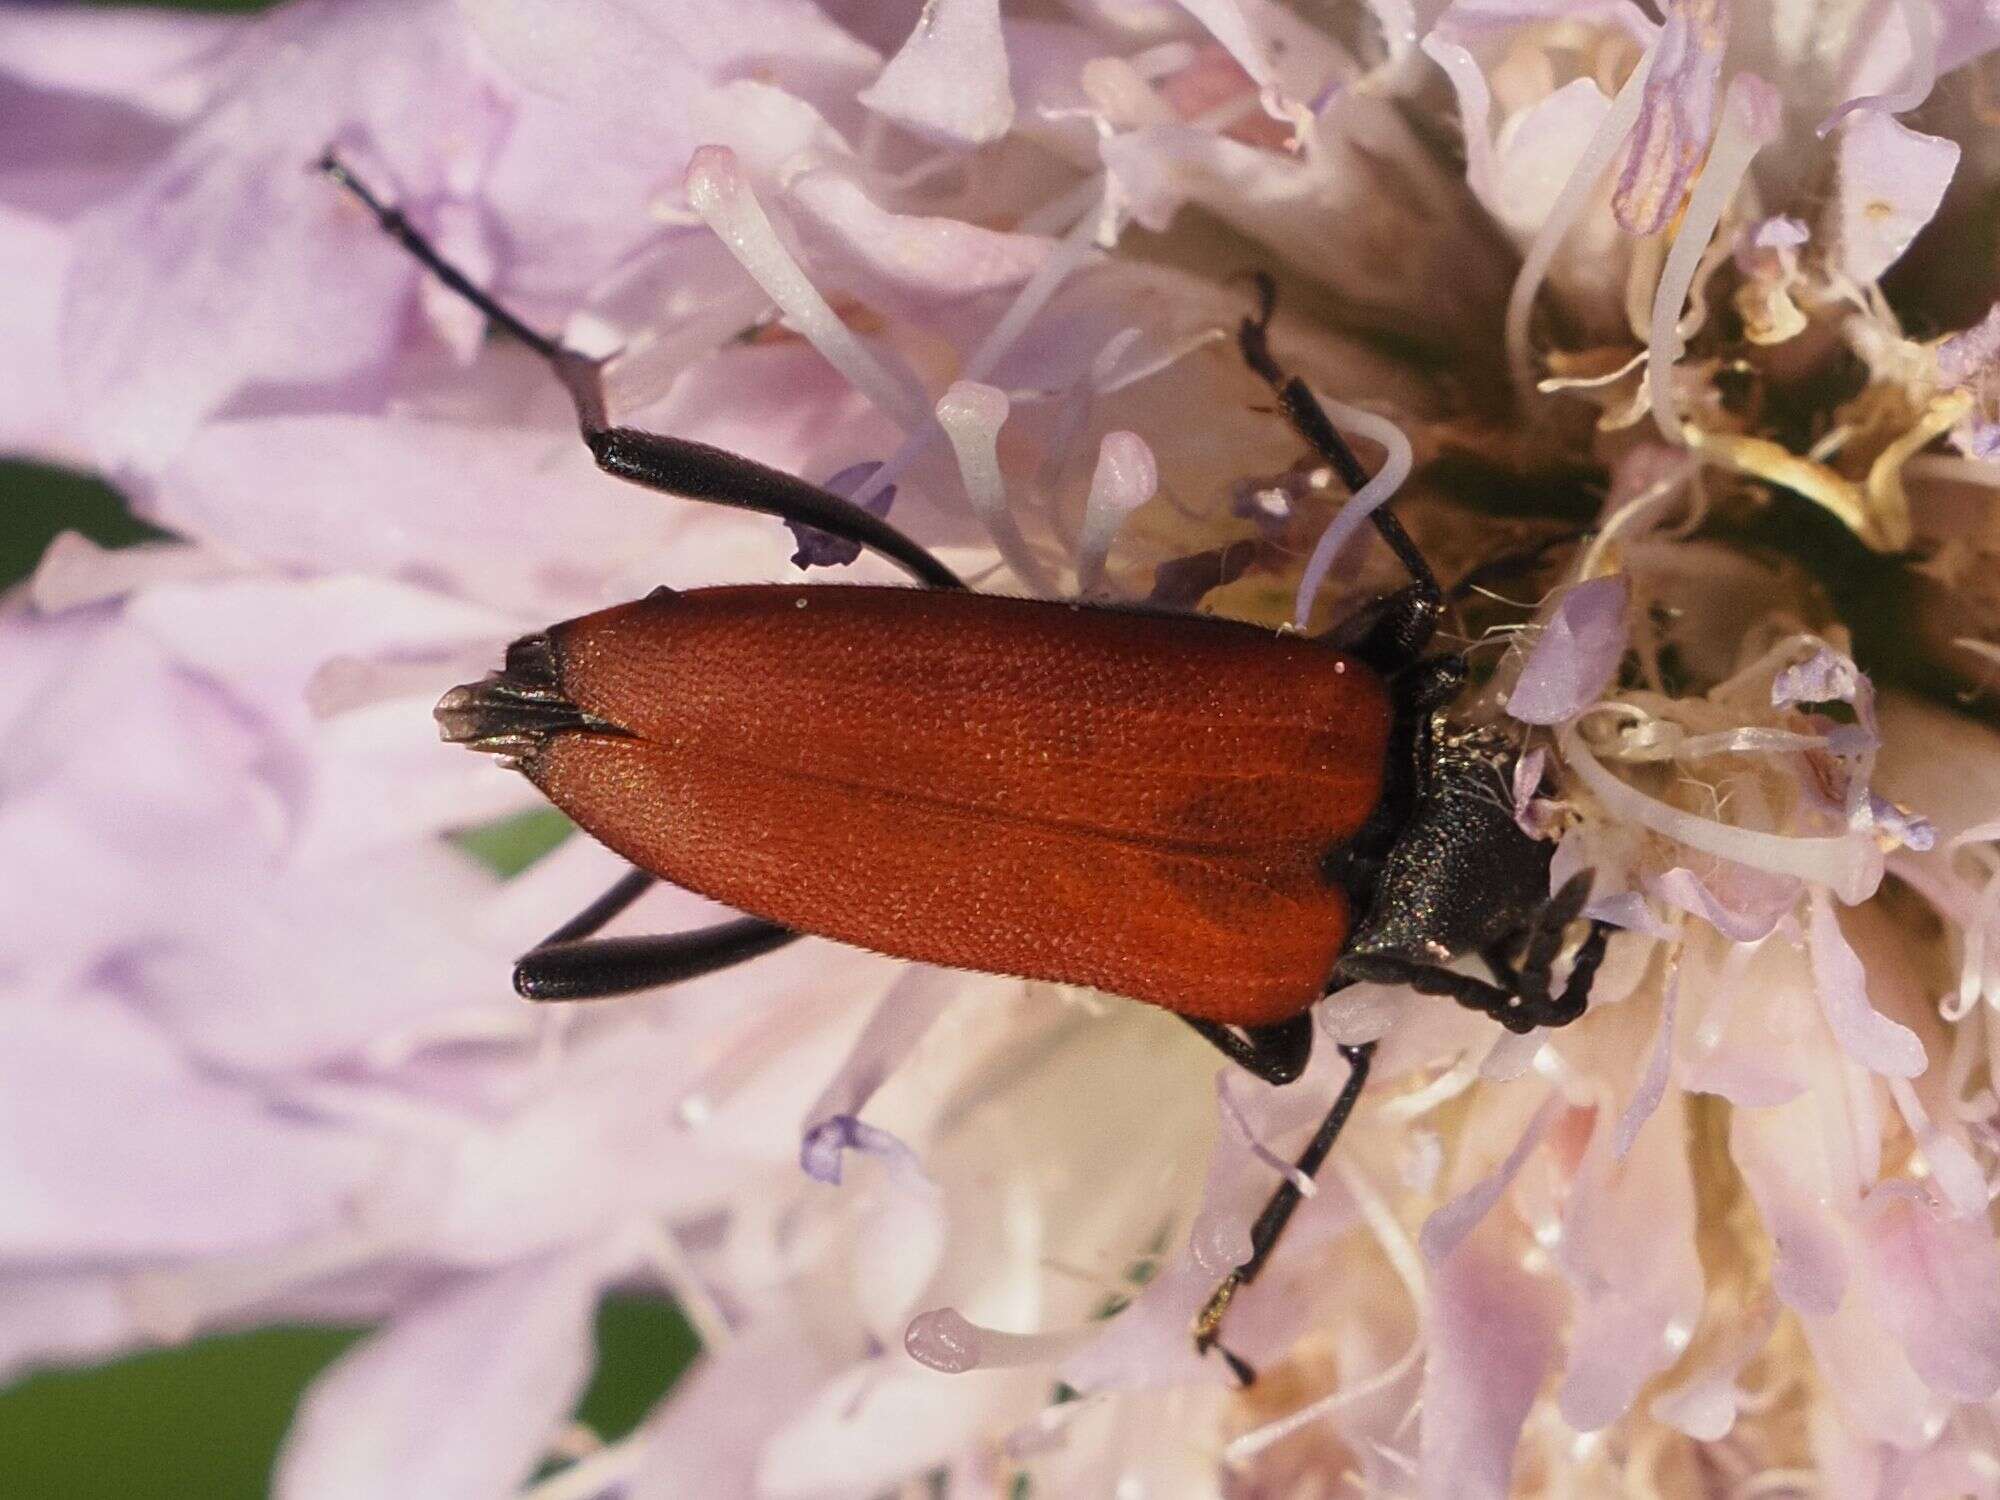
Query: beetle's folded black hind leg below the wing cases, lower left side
x=575, y=965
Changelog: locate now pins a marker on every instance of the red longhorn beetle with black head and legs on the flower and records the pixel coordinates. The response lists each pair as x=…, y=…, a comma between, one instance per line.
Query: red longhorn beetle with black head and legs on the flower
x=1179, y=809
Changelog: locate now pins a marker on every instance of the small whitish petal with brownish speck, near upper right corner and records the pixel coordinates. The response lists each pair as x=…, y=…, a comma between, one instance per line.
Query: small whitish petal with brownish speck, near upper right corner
x=1889, y=181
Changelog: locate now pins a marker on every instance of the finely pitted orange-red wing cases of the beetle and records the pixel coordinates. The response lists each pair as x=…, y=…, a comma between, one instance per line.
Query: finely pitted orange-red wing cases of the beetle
x=1131, y=801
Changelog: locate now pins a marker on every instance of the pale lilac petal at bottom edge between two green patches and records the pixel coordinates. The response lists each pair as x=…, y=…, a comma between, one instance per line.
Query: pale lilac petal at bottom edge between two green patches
x=459, y=1399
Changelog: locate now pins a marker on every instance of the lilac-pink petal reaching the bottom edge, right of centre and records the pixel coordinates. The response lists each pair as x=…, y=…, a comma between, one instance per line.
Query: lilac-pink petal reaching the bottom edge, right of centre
x=1491, y=1335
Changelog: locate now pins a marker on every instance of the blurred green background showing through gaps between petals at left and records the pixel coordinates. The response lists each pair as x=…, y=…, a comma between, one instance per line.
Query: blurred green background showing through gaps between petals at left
x=207, y=1419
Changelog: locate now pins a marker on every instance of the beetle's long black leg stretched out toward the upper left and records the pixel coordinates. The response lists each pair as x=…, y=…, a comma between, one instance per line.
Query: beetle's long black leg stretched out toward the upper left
x=659, y=463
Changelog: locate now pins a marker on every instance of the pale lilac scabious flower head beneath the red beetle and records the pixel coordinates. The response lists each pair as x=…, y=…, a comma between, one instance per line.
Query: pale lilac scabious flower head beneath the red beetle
x=1707, y=279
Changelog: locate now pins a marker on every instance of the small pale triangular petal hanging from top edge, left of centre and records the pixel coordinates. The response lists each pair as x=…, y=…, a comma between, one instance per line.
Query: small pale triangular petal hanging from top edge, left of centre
x=951, y=77
